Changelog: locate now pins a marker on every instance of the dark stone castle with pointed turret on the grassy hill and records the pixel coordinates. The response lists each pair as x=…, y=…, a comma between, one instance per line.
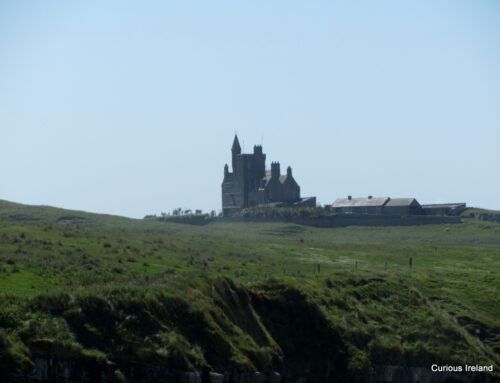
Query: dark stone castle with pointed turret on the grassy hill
x=250, y=184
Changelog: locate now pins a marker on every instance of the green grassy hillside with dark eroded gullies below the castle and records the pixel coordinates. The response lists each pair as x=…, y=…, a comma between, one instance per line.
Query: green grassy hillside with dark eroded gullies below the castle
x=97, y=288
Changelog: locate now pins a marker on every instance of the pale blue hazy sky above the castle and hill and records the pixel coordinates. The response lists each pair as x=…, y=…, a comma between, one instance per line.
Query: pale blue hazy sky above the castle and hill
x=130, y=108
